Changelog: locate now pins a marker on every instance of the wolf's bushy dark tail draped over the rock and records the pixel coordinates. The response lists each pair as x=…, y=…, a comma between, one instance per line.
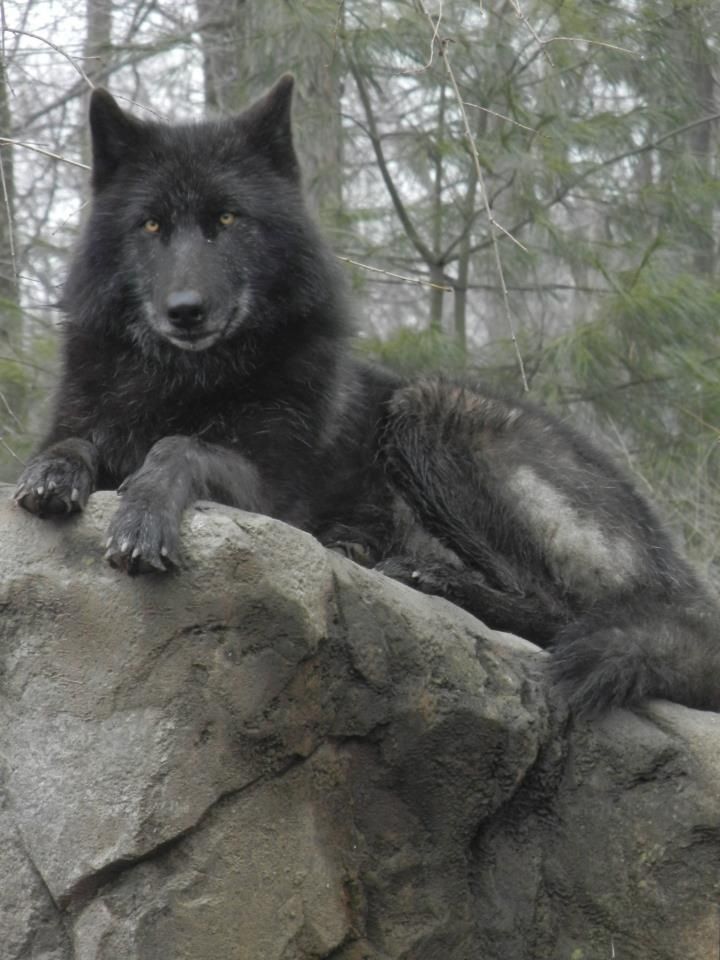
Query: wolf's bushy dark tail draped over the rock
x=640, y=649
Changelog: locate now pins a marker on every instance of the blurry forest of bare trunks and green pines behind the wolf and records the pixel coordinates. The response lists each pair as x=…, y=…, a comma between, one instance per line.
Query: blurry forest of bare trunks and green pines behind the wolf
x=522, y=191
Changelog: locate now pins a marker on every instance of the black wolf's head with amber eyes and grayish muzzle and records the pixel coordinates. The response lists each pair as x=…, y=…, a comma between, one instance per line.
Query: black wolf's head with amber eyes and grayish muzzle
x=198, y=232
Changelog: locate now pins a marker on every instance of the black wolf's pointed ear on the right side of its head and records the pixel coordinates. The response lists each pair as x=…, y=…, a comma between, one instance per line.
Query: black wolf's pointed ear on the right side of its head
x=267, y=127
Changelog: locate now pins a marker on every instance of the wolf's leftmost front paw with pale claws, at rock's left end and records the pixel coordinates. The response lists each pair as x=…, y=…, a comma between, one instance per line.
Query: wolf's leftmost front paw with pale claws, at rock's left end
x=52, y=485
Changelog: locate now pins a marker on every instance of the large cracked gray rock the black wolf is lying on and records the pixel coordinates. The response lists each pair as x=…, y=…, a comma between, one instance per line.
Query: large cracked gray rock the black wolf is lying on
x=277, y=755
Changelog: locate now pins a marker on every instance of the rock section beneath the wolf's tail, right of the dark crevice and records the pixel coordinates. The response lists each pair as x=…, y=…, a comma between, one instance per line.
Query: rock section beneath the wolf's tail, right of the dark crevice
x=611, y=847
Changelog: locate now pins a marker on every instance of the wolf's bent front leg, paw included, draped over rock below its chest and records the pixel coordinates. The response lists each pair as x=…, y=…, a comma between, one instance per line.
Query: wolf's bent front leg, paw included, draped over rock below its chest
x=144, y=534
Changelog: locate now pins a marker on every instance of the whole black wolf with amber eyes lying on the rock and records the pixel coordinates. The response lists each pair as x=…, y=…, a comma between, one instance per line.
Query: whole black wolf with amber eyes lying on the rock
x=207, y=355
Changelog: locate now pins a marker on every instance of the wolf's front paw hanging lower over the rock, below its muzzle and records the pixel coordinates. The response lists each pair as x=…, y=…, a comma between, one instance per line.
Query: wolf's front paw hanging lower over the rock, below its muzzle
x=142, y=540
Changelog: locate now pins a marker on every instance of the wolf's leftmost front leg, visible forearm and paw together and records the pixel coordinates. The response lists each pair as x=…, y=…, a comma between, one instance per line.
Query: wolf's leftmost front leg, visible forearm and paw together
x=59, y=479
